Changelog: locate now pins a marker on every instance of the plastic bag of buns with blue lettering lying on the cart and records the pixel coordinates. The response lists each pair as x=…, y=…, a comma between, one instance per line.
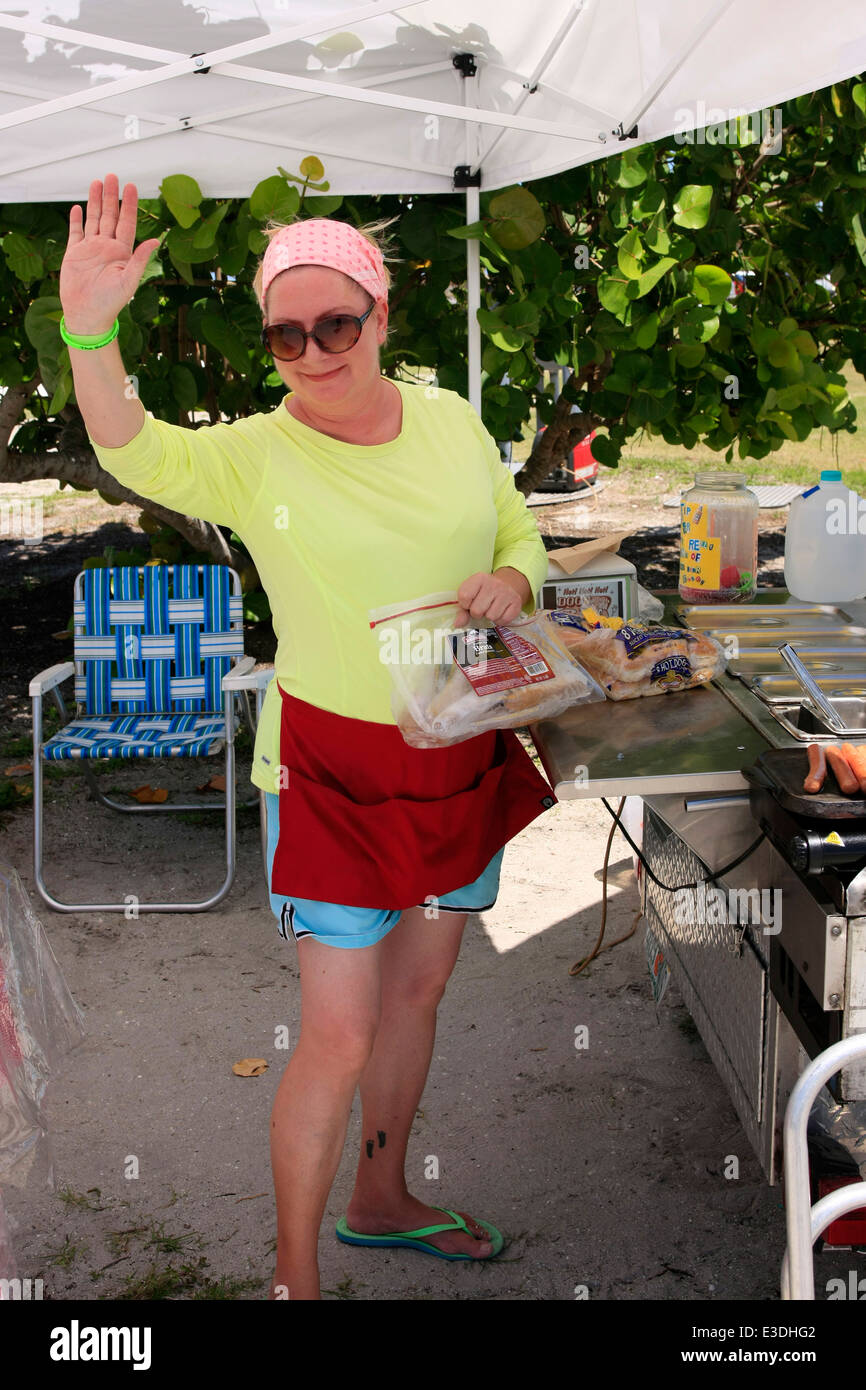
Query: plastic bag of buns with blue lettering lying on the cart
x=633, y=660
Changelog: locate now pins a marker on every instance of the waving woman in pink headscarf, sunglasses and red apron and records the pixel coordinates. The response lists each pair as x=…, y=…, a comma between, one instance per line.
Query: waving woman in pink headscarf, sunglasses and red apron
x=355, y=493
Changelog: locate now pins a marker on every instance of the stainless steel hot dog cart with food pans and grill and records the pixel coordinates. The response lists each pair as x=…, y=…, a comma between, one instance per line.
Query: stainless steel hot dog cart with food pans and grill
x=790, y=981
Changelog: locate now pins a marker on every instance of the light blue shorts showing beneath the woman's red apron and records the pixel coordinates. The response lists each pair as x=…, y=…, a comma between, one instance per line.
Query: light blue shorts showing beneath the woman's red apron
x=337, y=925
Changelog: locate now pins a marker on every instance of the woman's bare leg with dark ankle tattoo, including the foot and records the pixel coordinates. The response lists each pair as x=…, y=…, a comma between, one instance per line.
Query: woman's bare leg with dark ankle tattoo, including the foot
x=418, y=960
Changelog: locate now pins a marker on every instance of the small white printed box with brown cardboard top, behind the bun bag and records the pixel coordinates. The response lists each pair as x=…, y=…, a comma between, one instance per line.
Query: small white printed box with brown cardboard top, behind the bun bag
x=591, y=575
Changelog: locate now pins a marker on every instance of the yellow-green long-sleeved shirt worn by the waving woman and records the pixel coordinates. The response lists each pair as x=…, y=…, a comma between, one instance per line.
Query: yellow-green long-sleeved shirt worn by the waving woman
x=338, y=529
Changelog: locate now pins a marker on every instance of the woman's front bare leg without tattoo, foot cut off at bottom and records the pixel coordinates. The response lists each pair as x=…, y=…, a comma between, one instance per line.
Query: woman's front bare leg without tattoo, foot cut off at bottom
x=341, y=999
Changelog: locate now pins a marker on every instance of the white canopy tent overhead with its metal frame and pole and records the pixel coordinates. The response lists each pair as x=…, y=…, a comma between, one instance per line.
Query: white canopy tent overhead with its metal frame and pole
x=411, y=98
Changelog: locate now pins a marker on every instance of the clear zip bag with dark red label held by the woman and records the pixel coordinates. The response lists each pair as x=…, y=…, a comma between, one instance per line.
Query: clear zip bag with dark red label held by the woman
x=450, y=685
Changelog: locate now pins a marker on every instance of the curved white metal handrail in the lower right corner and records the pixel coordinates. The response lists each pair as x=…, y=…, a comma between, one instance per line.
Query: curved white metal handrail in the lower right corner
x=806, y=1223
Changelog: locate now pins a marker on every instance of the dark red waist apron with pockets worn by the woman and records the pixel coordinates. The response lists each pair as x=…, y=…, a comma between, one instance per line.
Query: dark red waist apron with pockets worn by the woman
x=370, y=822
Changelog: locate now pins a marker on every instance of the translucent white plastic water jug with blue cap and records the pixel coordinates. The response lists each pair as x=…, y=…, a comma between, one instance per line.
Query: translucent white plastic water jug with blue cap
x=826, y=543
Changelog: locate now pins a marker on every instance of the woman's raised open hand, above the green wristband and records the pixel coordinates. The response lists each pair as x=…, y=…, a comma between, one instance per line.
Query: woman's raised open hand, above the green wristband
x=101, y=270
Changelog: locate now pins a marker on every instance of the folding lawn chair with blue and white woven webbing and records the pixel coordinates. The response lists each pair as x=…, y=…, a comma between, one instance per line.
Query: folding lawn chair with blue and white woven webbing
x=159, y=672
